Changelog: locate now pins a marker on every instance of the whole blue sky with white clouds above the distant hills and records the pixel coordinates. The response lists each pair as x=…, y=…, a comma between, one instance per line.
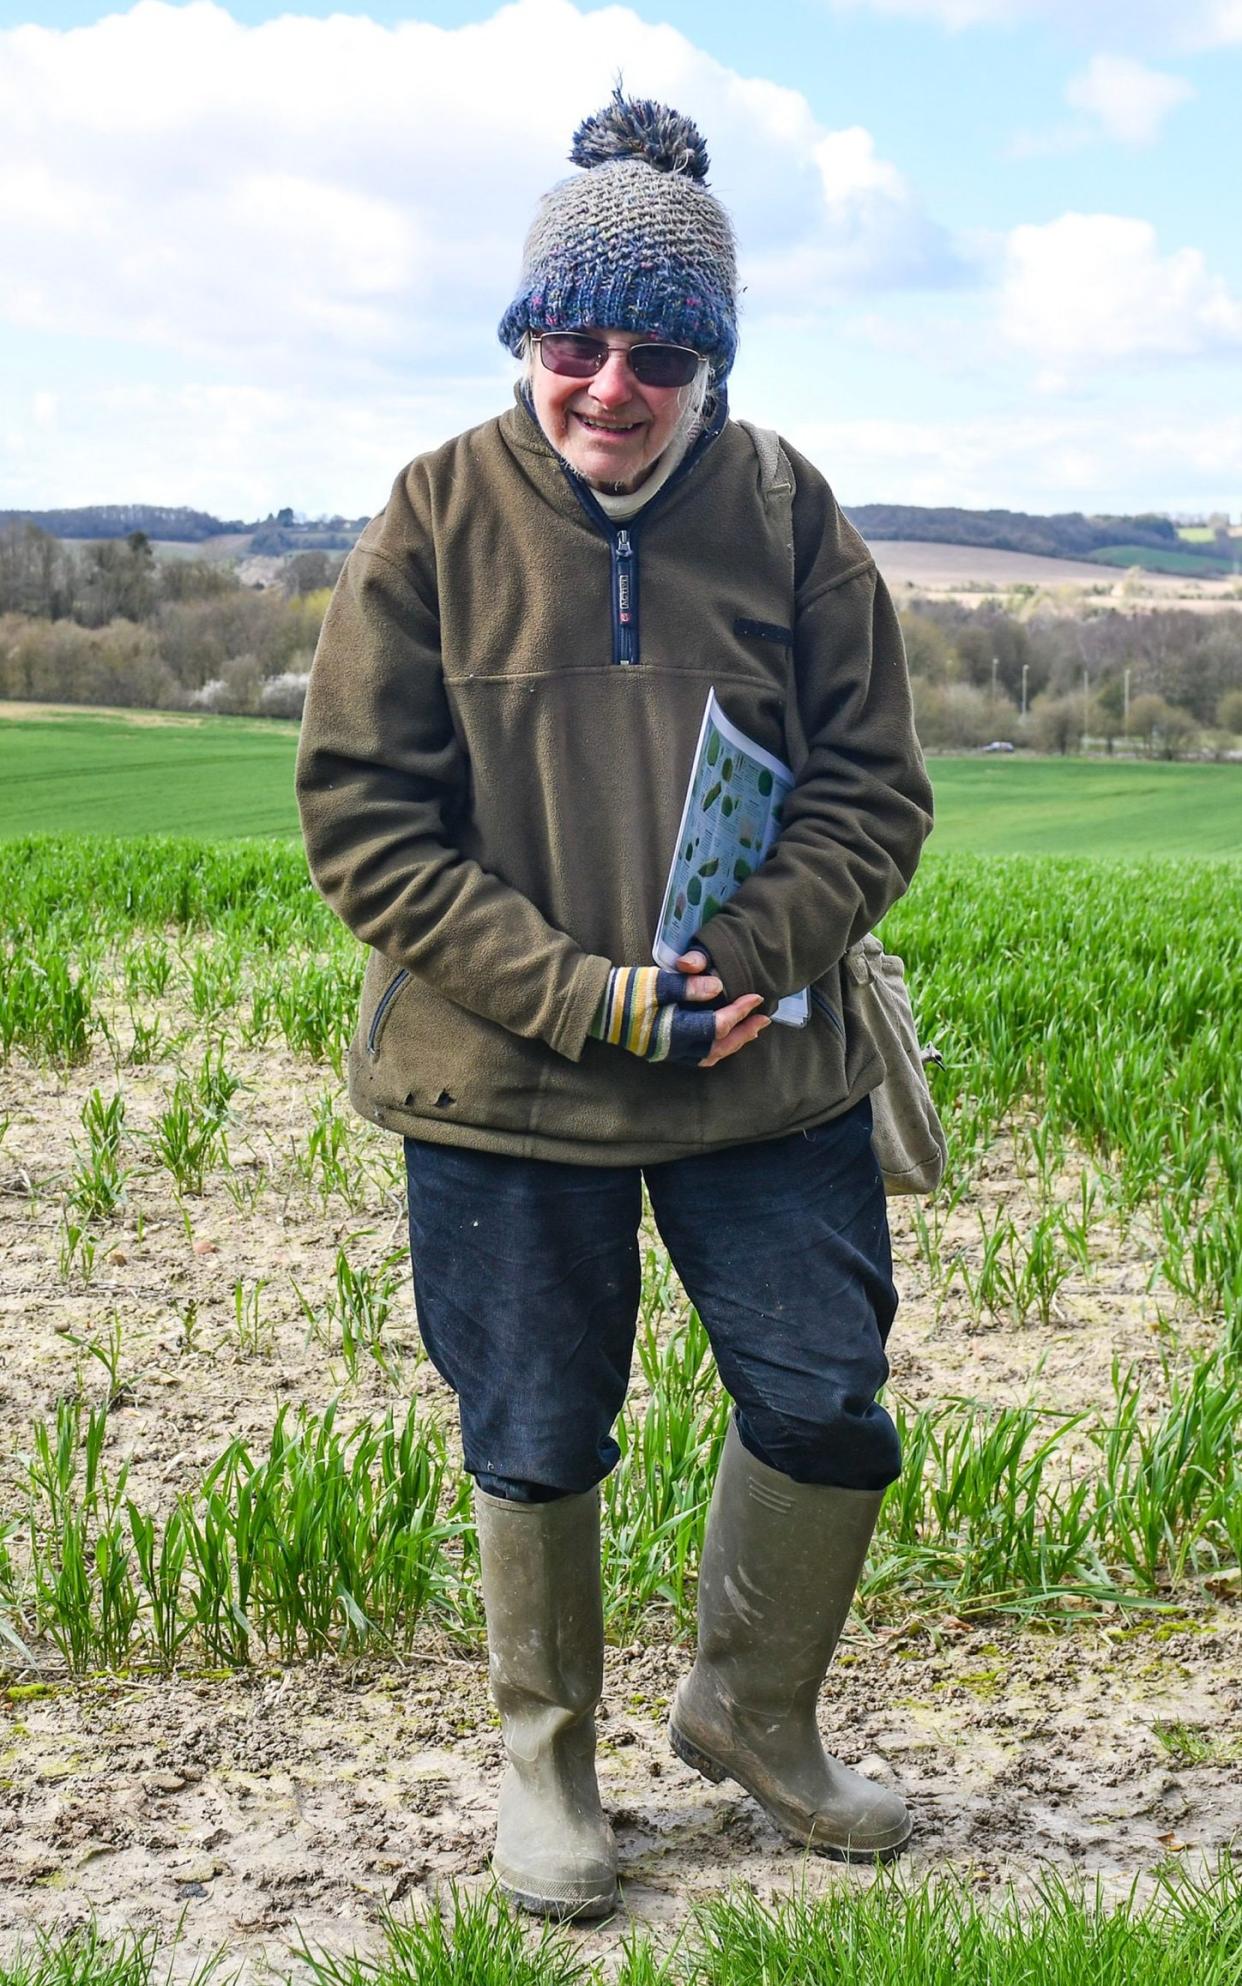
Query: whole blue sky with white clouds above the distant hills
x=255, y=255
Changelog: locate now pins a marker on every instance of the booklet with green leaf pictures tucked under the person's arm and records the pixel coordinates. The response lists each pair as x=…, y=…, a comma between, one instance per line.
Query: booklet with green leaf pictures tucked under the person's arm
x=730, y=821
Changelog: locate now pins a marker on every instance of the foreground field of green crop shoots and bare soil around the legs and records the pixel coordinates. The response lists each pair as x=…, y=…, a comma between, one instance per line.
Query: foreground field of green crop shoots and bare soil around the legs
x=239, y=1630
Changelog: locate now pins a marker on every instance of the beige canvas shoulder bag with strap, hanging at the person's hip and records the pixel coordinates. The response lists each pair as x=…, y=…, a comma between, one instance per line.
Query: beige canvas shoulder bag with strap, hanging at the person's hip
x=907, y=1135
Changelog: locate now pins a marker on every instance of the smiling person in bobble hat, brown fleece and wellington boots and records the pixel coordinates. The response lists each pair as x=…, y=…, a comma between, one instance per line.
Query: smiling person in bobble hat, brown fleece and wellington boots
x=502, y=722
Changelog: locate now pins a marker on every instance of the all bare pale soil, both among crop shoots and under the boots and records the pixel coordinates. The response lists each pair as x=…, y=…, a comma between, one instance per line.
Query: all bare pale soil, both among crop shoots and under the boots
x=297, y=1802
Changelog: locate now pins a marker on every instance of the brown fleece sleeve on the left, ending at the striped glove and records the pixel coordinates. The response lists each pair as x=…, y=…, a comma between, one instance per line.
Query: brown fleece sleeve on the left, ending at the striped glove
x=381, y=780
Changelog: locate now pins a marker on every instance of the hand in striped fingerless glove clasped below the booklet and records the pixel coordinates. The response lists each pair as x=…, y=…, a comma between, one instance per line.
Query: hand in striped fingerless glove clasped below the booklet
x=667, y=1016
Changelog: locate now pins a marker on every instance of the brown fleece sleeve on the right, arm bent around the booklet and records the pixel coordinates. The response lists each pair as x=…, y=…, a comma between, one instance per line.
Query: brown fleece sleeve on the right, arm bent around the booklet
x=863, y=805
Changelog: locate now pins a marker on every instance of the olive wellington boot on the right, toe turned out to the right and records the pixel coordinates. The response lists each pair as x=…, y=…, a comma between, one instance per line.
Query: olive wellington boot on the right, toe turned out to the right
x=782, y=1562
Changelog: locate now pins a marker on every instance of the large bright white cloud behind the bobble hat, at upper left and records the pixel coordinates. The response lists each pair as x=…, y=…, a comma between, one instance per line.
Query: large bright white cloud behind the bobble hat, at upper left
x=307, y=233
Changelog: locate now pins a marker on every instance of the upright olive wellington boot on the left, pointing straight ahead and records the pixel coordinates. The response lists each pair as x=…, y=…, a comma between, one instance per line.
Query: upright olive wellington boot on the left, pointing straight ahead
x=545, y=1637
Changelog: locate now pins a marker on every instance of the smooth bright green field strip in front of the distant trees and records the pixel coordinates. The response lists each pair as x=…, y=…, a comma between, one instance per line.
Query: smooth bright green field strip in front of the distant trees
x=220, y=778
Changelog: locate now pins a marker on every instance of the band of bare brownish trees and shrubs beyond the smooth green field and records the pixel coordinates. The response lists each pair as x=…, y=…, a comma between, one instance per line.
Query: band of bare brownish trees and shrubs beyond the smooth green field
x=114, y=625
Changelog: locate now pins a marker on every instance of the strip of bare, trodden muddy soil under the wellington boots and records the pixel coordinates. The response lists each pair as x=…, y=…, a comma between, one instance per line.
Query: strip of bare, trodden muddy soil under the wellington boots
x=299, y=1804
